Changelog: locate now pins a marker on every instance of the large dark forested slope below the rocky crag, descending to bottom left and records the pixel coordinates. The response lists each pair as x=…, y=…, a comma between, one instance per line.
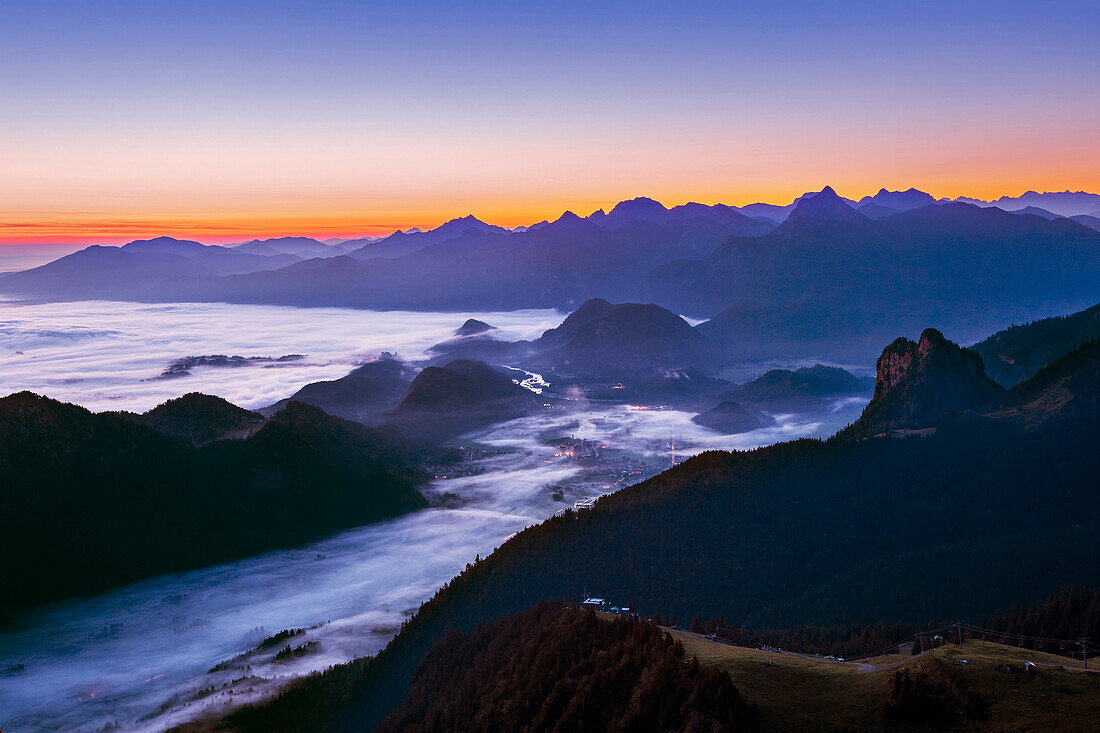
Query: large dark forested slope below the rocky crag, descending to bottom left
x=976, y=517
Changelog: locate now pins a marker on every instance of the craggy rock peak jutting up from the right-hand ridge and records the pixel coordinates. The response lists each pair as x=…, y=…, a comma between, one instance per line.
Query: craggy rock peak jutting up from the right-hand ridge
x=919, y=382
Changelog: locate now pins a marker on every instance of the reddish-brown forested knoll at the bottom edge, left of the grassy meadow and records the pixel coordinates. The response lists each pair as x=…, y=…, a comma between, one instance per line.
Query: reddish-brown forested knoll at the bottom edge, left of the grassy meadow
x=553, y=669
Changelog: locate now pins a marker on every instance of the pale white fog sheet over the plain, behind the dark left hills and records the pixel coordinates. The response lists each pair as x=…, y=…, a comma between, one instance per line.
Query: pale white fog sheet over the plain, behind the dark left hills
x=109, y=356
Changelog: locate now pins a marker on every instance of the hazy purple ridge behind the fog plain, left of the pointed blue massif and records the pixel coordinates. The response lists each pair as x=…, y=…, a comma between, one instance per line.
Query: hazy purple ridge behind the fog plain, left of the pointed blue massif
x=464, y=265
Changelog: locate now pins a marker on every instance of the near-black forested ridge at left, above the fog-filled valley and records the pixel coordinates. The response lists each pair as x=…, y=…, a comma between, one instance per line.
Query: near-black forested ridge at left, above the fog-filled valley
x=97, y=500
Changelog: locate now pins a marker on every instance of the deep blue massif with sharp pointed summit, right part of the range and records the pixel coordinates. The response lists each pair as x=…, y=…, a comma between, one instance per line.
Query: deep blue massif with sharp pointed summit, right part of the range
x=840, y=281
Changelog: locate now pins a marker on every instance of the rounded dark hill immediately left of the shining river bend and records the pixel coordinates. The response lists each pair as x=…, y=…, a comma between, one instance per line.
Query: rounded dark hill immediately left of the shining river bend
x=466, y=395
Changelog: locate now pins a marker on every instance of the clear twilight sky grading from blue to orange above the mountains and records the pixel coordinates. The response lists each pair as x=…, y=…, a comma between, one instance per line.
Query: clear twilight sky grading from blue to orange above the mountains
x=227, y=121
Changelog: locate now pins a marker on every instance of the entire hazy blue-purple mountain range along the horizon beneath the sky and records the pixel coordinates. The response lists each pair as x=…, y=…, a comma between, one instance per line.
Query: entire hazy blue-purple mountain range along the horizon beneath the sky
x=826, y=277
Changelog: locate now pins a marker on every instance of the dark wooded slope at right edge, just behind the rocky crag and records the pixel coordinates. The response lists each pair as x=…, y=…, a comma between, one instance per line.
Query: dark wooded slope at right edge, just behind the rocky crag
x=1016, y=354
